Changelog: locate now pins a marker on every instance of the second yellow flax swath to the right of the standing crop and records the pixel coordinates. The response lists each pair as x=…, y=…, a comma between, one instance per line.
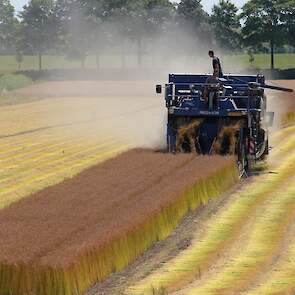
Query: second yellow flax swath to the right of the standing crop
x=263, y=243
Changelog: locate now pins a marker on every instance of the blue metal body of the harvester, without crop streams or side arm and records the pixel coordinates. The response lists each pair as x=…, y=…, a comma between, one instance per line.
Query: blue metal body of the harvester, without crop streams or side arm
x=234, y=100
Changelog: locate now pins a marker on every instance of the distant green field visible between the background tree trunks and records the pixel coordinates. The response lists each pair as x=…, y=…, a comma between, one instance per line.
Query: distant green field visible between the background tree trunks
x=232, y=62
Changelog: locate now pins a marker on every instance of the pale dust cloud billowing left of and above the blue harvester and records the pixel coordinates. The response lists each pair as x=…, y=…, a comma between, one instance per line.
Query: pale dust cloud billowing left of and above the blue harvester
x=120, y=98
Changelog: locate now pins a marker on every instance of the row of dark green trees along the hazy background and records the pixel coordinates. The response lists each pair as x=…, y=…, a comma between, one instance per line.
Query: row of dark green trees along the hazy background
x=78, y=28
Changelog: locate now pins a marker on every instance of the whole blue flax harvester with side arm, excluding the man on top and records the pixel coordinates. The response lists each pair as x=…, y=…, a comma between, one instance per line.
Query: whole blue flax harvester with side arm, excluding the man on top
x=210, y=109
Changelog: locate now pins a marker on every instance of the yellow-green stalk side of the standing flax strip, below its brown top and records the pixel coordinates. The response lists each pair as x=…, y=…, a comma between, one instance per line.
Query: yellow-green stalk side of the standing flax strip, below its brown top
x=95, y=263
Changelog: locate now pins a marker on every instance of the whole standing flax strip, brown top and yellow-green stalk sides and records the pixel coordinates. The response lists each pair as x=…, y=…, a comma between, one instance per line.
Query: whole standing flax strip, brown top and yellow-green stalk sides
x=64, y=238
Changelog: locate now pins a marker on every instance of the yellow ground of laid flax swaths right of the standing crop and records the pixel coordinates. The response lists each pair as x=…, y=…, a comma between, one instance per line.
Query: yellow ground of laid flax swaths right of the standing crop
x=259, y=222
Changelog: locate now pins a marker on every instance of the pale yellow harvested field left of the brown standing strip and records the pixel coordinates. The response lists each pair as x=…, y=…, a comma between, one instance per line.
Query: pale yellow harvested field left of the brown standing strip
x=46, y=141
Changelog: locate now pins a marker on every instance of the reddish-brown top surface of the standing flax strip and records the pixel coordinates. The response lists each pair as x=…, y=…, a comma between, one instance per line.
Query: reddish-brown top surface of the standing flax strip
x=55, y=226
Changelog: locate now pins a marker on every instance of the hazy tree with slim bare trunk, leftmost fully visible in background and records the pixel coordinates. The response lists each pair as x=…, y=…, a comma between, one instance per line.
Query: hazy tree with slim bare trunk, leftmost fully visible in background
x=39, y=27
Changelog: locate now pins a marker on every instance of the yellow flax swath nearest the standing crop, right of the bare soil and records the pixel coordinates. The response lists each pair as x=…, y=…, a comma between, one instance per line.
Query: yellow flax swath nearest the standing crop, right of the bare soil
x=184, y=267
